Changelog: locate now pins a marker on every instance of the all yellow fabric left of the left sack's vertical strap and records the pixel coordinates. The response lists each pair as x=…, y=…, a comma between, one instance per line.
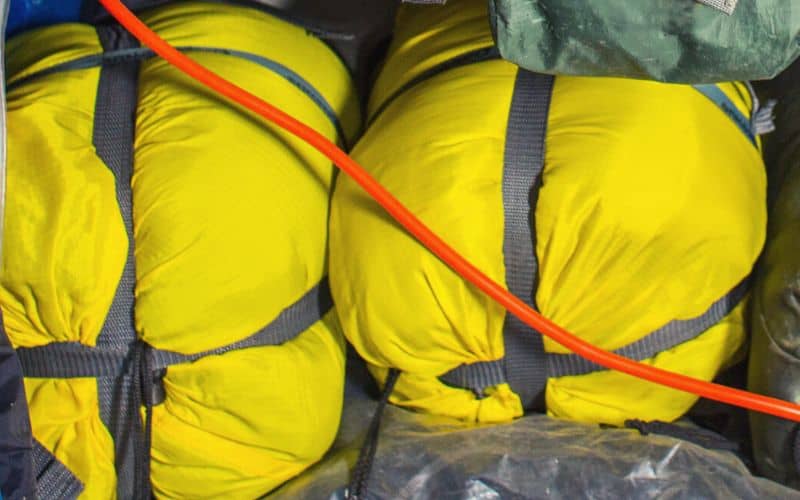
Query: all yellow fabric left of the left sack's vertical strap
x=64, y=246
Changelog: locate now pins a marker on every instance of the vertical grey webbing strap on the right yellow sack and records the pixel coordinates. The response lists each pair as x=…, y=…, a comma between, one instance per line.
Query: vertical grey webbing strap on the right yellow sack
x=523, y=163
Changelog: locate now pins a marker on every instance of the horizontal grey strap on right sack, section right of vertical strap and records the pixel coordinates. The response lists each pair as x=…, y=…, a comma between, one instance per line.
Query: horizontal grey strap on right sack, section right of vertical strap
x=668, y=336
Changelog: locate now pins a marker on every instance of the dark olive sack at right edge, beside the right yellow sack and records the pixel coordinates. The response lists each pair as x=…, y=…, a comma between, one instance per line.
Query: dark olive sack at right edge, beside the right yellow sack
x=774, y=367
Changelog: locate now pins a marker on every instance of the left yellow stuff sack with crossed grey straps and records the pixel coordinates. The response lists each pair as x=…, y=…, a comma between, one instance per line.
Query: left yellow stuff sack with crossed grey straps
x=165, y=254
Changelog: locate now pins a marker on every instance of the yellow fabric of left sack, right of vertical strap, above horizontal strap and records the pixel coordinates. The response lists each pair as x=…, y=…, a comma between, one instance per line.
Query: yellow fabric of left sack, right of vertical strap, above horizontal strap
x=280, y=182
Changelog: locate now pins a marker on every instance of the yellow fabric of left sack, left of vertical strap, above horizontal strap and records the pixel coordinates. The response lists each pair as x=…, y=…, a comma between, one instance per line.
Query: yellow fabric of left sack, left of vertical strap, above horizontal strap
x=52, y=170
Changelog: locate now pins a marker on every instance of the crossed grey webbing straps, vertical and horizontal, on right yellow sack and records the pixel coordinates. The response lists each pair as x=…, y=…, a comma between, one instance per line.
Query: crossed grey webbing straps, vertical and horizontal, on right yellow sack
x=526, y=366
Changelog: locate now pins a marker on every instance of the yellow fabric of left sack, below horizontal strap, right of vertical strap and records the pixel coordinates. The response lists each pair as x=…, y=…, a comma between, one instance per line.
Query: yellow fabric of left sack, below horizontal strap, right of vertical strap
x=254, y=417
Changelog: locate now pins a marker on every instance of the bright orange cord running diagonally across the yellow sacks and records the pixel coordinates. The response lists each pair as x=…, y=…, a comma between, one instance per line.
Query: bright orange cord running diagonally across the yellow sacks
x=736, y=397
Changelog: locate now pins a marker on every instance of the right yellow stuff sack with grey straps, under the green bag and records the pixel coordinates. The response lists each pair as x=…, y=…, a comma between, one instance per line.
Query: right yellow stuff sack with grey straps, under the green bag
x=629, y=212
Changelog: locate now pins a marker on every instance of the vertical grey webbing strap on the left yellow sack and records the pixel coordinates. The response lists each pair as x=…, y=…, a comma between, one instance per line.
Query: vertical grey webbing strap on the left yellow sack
x=113, y=137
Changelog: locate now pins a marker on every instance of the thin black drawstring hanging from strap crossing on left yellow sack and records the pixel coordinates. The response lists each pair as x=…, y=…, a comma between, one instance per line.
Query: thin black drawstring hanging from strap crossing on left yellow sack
x=141, y=394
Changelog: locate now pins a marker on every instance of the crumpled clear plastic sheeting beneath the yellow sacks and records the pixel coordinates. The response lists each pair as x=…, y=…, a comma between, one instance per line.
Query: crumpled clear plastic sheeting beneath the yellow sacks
x=424, y=456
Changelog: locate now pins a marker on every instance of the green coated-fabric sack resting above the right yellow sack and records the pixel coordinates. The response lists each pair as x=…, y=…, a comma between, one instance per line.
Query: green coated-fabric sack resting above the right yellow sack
x=665, y=40
